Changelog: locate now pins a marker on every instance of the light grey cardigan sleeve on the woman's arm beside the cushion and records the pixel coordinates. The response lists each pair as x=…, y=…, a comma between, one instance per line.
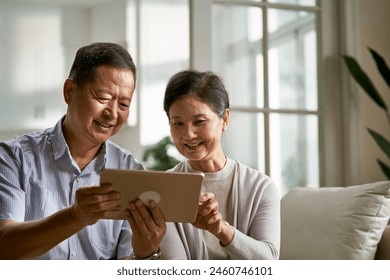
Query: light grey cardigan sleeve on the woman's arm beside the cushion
x=257, y=235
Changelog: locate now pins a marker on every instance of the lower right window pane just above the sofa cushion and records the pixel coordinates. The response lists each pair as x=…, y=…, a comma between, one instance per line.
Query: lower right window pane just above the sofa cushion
x=294, y=150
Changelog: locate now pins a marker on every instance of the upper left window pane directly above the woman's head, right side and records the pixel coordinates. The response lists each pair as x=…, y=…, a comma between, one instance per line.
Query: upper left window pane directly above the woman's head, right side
x=236, y=52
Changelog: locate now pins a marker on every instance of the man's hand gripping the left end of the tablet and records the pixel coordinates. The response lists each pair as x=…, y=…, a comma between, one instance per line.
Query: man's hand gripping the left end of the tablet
x=94, y=203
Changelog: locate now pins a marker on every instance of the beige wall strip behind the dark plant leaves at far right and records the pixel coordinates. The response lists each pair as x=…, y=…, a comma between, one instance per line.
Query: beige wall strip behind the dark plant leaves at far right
x=375, y=33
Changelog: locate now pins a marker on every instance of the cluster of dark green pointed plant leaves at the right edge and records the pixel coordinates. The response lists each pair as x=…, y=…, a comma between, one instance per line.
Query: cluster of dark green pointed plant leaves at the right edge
x=369, y=88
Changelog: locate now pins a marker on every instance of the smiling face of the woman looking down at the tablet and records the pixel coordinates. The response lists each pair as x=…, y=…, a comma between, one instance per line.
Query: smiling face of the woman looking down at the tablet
x=196, y=130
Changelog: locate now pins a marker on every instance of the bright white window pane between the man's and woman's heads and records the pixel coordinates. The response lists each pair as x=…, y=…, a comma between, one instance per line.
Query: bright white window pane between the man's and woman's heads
x=164, y=51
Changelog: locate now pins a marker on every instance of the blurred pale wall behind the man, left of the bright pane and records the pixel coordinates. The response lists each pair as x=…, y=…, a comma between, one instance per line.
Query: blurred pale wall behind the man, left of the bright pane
x=34, y=30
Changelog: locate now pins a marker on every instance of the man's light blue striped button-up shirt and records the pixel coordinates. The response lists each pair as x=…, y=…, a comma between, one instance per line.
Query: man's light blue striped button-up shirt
x=39, y=177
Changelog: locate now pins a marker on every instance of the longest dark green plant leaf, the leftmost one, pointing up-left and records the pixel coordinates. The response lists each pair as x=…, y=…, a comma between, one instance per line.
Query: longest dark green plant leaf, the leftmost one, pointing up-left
x=364, y=81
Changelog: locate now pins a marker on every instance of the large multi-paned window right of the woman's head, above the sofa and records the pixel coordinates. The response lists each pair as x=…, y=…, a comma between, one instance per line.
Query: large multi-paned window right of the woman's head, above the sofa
x=266, y=53
